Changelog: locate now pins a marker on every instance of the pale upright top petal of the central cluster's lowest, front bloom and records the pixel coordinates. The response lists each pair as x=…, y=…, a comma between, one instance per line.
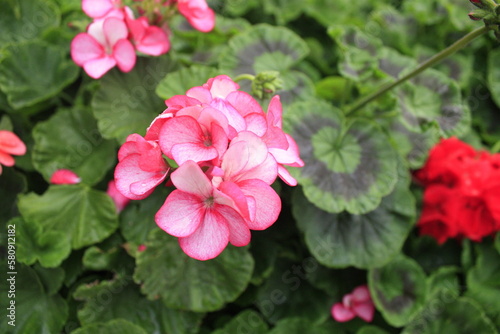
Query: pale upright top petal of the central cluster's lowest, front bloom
x=190, y=179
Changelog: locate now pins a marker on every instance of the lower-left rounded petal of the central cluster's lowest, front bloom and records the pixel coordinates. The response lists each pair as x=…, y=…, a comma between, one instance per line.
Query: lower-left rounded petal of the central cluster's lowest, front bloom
x=181, y=214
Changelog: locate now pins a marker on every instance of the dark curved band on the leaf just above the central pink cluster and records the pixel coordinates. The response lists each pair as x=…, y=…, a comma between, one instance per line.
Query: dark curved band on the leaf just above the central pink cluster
x=247, y=56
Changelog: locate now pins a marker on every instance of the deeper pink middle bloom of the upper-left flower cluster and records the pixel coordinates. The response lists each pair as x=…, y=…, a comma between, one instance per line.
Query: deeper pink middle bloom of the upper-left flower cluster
x=150, y=40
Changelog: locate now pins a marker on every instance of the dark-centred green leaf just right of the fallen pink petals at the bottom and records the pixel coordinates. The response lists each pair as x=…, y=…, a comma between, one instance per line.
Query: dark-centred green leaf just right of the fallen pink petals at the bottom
x=398, y=290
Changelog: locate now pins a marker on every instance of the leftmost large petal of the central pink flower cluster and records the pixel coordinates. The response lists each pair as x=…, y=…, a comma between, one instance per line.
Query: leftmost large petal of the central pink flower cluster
x=128, y=175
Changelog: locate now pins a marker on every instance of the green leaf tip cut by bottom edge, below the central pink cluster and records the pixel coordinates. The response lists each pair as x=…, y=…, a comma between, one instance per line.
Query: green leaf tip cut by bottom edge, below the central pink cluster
x=248, y=322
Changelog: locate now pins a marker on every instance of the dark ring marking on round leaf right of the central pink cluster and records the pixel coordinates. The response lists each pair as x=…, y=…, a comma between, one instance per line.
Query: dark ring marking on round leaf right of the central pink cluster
x=352, y=184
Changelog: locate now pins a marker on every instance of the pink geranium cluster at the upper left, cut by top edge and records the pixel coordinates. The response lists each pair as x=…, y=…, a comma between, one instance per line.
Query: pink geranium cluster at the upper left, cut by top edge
x=115, y=35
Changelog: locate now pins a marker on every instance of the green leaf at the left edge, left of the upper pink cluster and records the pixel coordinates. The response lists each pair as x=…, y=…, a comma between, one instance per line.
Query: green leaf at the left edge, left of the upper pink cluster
x=32, y=72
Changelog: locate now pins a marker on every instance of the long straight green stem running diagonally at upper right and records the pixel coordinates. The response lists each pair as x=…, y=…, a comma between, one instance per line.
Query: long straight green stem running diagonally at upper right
x=428, y=63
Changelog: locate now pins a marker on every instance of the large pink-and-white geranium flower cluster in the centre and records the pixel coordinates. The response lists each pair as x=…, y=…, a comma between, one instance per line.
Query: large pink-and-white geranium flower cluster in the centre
x=228, y=152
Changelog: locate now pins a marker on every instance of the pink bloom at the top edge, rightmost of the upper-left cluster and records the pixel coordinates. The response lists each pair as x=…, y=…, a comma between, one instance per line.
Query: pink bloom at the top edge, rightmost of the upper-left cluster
x=198, y=14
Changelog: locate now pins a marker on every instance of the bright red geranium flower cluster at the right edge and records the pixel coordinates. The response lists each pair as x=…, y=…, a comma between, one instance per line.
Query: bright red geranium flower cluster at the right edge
x=462, y=192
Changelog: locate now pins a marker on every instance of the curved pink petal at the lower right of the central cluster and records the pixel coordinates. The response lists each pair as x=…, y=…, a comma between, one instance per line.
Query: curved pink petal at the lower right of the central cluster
x=267, y=203
